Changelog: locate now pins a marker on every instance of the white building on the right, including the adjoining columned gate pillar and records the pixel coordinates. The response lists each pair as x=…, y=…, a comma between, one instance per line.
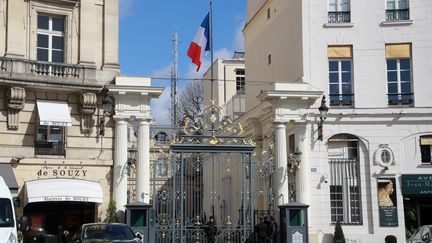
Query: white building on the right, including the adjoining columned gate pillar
x=367, y=162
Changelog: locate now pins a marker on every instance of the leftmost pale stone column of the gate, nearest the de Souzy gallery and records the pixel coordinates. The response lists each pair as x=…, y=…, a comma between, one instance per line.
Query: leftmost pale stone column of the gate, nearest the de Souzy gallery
x=120, y=163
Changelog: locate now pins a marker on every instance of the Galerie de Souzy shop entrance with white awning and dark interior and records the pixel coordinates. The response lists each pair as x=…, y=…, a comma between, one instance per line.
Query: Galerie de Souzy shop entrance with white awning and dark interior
x=56, y=208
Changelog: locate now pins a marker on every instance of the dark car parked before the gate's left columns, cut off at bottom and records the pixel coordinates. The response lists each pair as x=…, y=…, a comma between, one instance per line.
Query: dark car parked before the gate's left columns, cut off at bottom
x=103, y=232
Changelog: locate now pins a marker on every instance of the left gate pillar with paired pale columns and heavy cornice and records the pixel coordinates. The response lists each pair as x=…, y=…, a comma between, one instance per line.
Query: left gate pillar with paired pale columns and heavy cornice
x=132, y=100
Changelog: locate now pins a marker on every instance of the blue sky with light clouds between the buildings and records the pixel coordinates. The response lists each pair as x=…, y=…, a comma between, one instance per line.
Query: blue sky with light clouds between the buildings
x=146, y=47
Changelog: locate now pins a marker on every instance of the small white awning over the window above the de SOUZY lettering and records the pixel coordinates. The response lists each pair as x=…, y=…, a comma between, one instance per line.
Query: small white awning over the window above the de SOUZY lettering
x=53, y=113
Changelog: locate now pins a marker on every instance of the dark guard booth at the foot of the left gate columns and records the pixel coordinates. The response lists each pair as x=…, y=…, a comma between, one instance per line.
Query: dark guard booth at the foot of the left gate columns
x=137, y=217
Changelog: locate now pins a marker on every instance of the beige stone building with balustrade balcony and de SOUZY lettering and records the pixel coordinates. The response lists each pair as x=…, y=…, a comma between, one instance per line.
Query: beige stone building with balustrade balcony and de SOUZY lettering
x=56, y=140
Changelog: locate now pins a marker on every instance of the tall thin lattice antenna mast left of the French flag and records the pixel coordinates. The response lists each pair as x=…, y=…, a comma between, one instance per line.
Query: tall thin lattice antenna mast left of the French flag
x=174, y=78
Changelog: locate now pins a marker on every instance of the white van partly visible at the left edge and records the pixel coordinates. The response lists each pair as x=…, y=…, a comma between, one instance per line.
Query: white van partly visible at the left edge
x=8, y=226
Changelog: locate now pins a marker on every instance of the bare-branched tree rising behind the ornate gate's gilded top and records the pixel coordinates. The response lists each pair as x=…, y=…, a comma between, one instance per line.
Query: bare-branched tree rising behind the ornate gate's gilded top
x=191, y=101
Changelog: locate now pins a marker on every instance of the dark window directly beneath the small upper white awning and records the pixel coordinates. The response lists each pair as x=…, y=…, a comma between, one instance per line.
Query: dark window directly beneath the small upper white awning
x=50, y=140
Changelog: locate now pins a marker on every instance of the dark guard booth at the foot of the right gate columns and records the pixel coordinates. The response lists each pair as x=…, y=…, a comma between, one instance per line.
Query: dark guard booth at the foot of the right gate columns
x=294, y=223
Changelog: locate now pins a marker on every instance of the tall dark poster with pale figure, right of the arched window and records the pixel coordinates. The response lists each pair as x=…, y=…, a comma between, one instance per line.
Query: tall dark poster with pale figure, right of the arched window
x=387, y=203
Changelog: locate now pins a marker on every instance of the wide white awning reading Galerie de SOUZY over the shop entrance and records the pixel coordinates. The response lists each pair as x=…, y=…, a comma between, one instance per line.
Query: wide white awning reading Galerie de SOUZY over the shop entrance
x=58, y=190
